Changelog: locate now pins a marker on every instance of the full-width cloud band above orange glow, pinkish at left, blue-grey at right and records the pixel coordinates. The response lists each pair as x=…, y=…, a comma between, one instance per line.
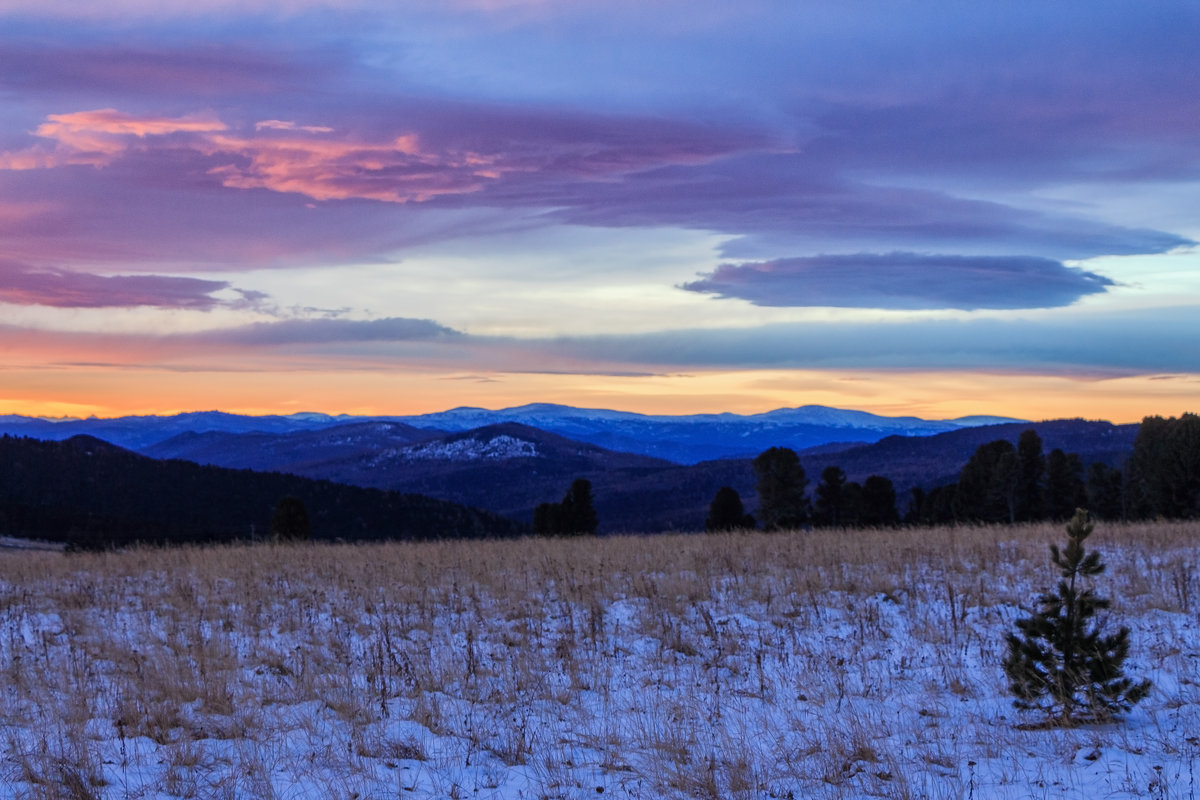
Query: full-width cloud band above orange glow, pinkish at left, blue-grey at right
x=1067, y=344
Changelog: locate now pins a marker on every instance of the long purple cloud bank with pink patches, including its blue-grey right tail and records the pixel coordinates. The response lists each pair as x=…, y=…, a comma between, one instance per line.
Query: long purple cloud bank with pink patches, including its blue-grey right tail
x=177, y=179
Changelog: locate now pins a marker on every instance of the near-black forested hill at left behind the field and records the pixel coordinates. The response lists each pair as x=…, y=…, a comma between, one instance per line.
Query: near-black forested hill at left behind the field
x=92, y=494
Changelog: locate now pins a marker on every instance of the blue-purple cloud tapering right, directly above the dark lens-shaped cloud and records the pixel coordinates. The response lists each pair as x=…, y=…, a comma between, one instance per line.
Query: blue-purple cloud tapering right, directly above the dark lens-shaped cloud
x=783, y=203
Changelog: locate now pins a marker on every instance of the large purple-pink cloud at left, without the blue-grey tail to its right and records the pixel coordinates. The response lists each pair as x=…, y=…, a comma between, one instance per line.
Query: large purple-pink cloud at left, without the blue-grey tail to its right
x=143, y=188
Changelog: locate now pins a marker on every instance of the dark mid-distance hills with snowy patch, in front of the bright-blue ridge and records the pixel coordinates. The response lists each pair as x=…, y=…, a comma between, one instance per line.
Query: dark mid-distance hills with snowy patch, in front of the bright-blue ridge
x=512, y=468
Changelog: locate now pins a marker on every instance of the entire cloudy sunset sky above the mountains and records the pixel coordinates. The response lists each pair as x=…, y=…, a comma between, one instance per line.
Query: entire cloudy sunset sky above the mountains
x=905, y=207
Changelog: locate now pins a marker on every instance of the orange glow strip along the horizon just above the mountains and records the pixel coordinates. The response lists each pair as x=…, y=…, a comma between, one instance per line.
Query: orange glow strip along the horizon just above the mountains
x=107, y=392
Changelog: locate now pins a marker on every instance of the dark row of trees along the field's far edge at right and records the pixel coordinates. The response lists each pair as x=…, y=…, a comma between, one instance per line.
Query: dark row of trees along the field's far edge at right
x=1001, y=483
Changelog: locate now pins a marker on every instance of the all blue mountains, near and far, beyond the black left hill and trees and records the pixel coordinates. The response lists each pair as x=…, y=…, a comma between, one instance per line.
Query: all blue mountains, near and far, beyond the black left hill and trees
x=508, y=467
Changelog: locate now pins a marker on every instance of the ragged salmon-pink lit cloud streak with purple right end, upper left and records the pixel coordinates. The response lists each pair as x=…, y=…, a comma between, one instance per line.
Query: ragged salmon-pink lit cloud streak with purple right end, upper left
x=454, y=157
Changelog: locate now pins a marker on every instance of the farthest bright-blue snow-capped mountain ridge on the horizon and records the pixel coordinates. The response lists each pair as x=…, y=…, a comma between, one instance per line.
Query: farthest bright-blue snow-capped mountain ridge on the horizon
x=685, y=440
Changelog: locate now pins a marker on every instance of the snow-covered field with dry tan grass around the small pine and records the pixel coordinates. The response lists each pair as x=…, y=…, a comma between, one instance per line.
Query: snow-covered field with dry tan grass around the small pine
x=812, y=665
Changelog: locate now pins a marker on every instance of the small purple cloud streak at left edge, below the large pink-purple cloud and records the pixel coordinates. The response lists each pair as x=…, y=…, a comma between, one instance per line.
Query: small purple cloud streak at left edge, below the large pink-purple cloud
x=28, y=286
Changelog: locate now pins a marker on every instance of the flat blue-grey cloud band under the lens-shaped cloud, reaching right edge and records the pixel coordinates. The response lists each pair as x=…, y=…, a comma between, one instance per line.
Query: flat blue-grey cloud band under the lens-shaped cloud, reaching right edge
x=1130, y=342
